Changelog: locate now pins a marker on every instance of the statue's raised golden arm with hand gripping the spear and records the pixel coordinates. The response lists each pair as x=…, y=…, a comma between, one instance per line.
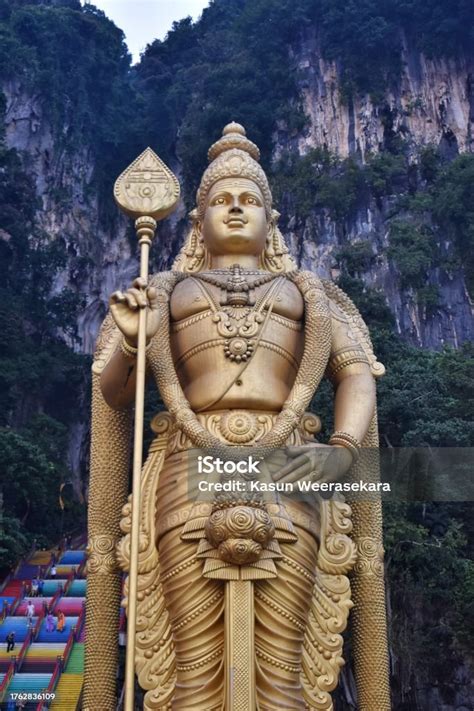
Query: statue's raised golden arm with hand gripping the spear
x=118, y=378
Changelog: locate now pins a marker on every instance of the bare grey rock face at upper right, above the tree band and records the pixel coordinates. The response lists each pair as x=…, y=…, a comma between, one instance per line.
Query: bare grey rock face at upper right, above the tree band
x=432, y=104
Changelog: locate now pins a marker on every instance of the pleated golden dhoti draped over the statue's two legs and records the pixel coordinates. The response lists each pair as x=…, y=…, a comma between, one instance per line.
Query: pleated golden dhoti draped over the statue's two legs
x=196, y=605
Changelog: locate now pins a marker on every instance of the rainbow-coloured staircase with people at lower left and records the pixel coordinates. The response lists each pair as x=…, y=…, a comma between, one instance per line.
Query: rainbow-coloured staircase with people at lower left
x=44, y=660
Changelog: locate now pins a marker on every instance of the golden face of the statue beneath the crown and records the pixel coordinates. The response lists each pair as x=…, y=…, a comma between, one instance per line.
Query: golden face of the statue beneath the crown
x=235, y=221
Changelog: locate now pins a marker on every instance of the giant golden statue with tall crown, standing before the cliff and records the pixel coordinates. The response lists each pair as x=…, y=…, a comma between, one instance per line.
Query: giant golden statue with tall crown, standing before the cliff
x=241, y=599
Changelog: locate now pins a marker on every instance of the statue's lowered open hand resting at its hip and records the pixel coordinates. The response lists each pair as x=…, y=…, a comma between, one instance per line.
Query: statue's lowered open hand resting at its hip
x=314, y=462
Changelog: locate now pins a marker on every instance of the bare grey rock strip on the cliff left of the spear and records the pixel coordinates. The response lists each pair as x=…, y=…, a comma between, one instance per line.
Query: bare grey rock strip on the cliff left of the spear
x=100, y=260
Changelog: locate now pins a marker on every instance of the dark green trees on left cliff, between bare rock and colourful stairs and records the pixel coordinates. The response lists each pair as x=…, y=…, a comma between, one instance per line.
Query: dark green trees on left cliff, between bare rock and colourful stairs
x=40, y=376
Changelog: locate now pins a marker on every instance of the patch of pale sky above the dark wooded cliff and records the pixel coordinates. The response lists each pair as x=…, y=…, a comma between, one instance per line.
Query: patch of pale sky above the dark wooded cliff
x=146, y=20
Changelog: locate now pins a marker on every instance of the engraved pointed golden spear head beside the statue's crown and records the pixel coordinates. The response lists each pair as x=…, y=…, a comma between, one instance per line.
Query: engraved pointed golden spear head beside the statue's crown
x=147, y=187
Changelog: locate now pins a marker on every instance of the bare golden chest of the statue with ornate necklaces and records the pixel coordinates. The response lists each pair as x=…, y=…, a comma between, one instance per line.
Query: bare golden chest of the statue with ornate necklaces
x=209, y=329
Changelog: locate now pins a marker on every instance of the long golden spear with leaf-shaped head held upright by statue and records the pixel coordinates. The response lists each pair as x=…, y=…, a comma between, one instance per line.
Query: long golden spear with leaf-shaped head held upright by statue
x=147, y=191
